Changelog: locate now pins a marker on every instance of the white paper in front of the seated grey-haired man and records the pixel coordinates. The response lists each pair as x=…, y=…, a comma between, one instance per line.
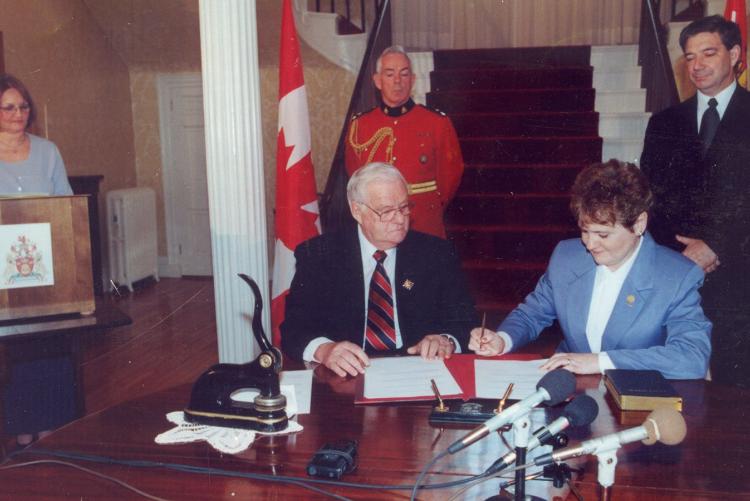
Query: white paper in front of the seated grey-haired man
x=404, y=377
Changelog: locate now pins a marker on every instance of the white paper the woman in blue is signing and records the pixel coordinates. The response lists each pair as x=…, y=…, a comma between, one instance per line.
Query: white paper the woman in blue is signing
x=492, y=377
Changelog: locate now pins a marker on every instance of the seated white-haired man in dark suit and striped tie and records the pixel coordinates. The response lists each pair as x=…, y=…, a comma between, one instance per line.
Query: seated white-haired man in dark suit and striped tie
x=376, y=288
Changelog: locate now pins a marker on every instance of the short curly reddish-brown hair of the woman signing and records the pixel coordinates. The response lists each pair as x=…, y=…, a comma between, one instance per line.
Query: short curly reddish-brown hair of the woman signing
x=610, y=193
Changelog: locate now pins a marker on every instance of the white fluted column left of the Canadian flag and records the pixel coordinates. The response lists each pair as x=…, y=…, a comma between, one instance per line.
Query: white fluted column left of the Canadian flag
x=234, y=158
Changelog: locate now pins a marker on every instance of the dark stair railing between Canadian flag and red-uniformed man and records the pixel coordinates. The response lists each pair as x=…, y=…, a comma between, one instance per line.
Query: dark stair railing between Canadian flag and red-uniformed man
x=334, y=209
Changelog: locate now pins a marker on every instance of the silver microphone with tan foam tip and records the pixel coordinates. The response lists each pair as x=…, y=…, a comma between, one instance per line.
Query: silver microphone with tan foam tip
x=662, y=425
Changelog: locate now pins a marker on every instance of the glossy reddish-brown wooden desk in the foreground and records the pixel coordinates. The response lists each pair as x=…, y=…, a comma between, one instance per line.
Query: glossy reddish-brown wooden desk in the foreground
x=395, y=442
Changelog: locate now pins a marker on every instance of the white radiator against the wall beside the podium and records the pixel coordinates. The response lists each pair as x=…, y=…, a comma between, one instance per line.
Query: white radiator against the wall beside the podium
x=131, y=226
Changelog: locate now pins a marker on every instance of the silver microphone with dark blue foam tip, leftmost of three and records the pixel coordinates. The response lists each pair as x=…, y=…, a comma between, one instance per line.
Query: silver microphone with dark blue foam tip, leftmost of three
x=552, y=388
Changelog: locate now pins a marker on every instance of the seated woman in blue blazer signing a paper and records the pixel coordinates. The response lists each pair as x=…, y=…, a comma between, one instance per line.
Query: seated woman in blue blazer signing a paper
x=622, y=301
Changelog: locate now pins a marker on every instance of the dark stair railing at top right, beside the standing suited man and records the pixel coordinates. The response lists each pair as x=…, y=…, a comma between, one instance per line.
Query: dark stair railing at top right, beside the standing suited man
x=657, y=76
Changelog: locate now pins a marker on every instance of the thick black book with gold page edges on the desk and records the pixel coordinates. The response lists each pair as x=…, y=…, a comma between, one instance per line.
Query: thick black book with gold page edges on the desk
x=634, y=390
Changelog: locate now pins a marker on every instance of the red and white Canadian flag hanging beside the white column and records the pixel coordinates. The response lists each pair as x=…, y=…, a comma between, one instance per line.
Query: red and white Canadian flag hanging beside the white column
x=297, y=214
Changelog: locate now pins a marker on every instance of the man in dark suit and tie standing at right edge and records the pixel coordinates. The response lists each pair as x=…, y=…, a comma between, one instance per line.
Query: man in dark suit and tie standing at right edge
x=697, y=157
